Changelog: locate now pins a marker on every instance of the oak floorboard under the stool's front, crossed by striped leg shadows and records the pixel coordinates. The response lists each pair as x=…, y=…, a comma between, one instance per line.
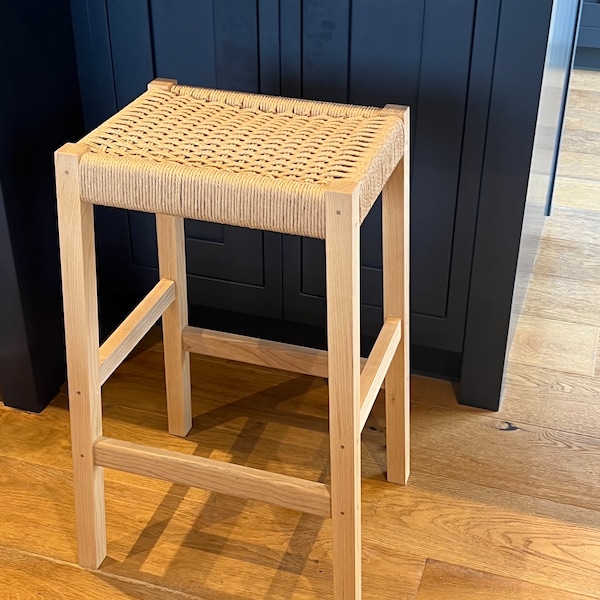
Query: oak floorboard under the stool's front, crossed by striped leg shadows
x=222, y=548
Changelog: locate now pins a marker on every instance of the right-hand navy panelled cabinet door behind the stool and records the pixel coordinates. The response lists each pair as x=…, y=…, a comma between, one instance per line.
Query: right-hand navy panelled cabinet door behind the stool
x=402, y=52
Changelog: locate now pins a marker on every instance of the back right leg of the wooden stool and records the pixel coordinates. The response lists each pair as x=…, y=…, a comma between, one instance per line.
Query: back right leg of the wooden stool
x=396, y=298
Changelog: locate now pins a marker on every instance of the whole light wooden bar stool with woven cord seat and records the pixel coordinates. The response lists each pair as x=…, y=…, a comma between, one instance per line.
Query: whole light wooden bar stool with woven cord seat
x=285, y=165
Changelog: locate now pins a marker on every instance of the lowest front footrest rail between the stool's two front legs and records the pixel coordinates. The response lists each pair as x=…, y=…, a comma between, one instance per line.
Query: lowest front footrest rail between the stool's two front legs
x=215, y=476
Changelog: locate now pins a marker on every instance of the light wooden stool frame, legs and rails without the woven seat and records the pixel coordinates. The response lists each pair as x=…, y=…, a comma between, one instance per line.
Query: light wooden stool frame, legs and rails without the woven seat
x=353, y=383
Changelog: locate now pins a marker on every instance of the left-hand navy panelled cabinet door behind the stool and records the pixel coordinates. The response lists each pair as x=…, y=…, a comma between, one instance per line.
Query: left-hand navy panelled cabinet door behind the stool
x=198, y=42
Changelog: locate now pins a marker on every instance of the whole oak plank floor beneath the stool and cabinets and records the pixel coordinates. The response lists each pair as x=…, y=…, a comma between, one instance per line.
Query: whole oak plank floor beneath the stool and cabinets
x=500, y=505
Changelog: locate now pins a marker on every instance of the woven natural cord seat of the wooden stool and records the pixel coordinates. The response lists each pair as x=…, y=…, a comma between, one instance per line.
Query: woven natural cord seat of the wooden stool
x=239, y=159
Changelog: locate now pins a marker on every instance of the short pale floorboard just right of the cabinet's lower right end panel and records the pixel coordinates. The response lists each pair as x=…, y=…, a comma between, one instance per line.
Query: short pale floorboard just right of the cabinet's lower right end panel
x=568, y=347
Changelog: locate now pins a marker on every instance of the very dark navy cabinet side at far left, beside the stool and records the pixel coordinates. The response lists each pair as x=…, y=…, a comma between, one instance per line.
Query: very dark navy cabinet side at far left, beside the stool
x=39, y=106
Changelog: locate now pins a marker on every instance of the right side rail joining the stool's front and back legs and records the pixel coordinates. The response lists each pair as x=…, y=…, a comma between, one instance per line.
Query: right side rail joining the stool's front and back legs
x=377, y=365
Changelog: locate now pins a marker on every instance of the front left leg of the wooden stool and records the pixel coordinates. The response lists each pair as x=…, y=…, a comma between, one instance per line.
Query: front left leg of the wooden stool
x=78, y=261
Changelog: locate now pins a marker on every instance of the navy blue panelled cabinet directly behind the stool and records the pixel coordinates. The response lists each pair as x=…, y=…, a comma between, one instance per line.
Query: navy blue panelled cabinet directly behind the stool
x=453, y=62
